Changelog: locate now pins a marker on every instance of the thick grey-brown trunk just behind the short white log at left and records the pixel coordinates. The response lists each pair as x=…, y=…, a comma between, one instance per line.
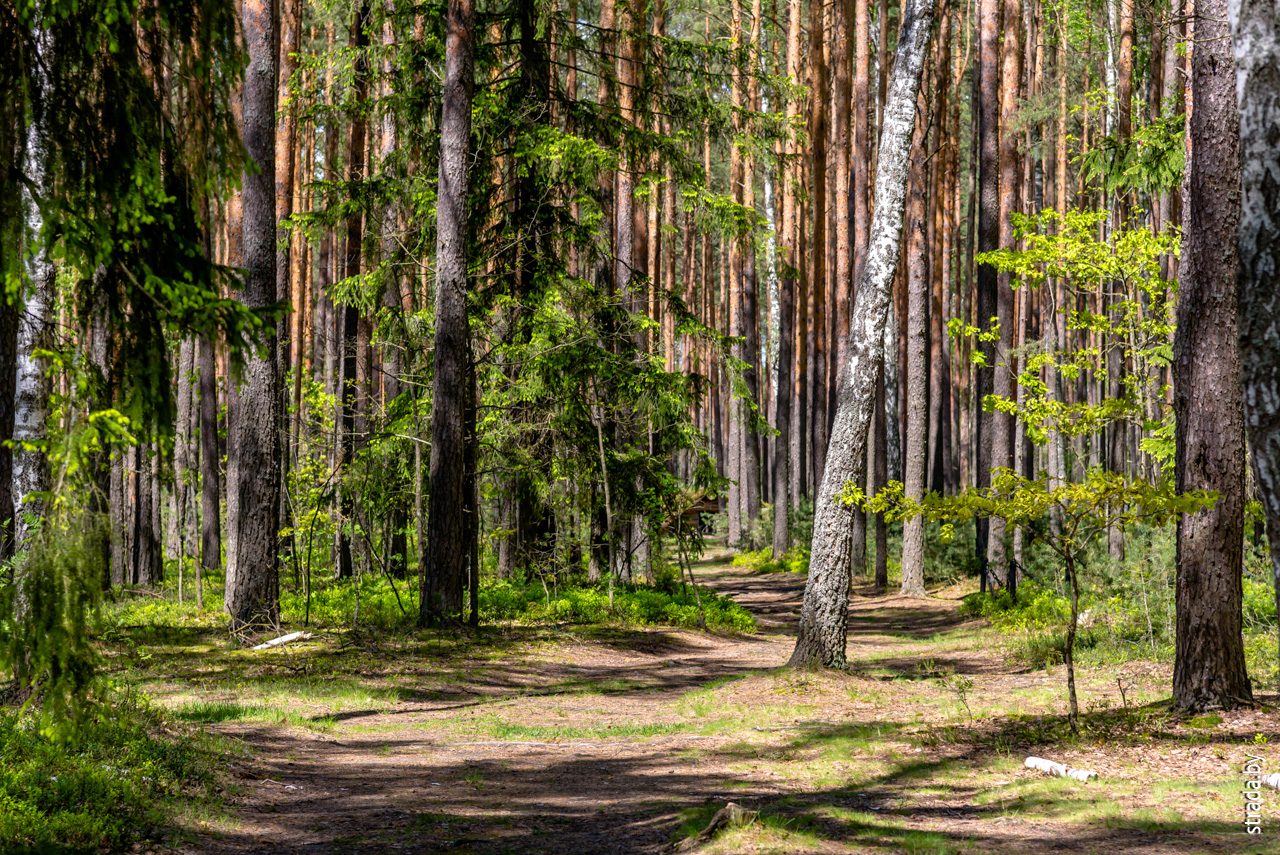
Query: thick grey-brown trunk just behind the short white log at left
x=254, y=440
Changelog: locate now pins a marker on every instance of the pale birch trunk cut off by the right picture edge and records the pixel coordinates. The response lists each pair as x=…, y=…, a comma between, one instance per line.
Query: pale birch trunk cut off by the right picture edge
x=1258, y=44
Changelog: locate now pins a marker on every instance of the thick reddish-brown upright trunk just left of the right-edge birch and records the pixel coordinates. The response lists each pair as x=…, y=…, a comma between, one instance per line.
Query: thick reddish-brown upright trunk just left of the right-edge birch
x=1209, y=665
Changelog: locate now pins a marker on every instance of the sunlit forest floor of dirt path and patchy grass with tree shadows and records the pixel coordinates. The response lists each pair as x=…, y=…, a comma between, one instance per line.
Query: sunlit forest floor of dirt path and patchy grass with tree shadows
x=628, y=740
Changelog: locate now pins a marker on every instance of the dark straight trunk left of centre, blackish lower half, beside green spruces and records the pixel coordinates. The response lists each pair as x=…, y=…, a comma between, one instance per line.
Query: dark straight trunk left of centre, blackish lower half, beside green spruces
x=447, y=554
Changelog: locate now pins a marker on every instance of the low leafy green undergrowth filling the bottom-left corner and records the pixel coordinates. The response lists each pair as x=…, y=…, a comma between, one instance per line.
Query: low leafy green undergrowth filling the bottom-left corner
x=116, y=783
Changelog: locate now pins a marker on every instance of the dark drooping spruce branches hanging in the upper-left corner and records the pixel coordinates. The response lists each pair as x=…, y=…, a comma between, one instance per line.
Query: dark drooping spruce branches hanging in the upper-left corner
x=125, y=175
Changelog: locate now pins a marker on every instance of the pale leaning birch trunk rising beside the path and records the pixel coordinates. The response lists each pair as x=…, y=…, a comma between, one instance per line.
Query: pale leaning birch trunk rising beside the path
x=824, y=619
